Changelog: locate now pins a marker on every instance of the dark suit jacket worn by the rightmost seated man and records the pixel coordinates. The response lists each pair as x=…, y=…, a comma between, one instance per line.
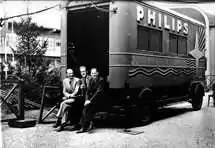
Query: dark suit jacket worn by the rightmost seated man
x=95, y=89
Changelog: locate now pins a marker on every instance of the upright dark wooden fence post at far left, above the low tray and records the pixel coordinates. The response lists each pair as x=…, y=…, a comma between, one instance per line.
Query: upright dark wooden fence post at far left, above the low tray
x=21, y=101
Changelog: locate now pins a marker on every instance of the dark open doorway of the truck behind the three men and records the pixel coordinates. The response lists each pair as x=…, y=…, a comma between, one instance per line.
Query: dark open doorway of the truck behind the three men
x=88, y=39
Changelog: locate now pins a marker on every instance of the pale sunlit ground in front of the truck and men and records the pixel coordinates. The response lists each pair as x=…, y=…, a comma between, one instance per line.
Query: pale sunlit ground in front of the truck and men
x=176, y=126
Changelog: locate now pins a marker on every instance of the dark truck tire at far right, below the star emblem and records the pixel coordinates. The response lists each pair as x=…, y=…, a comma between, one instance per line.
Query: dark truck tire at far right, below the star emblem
x=197, y=98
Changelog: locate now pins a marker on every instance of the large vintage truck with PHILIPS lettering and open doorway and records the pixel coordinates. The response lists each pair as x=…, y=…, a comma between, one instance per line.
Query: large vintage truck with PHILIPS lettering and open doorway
x=149, y=56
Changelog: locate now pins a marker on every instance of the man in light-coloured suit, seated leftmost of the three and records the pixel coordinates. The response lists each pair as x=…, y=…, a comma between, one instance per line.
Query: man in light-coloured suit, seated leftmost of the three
x=70, y=91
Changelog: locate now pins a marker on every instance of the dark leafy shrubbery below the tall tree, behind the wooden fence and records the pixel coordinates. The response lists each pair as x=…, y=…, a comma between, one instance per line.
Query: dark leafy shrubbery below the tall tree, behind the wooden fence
x=36, y=78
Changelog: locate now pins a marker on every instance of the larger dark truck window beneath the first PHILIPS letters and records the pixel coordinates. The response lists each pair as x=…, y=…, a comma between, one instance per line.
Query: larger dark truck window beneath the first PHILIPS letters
x=149, y=39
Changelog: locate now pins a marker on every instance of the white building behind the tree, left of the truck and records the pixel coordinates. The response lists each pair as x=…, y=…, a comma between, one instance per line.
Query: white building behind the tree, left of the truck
x=8, y=41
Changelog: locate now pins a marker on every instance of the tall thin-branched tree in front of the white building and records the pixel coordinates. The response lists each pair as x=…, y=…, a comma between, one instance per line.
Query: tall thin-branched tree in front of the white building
x=29, y=49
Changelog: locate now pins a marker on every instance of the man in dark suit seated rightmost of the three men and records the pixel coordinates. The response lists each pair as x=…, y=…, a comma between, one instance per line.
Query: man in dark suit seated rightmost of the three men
x=93, y=100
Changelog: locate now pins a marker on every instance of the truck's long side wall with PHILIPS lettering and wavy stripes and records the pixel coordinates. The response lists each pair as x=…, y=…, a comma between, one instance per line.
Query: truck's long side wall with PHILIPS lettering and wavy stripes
x=143, y=68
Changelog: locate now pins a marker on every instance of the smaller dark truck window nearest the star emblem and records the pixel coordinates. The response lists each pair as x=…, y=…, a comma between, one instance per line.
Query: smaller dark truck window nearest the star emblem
x=178, y=44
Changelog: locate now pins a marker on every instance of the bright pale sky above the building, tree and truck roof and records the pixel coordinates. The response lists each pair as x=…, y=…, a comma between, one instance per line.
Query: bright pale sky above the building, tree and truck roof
x=51, y=18
